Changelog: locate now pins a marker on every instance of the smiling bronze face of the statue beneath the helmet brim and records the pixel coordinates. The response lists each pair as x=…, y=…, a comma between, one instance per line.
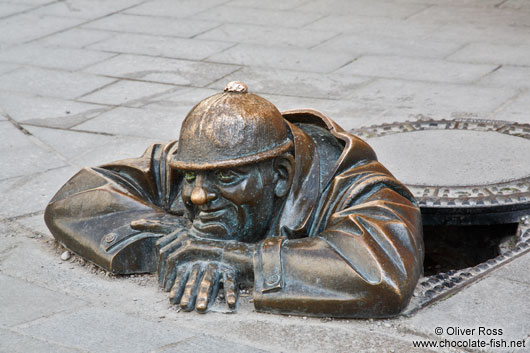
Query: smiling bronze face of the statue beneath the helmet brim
x=230, y=204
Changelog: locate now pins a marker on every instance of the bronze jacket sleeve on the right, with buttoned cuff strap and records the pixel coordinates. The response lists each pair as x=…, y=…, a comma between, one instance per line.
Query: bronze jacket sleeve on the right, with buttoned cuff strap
x=363, y=261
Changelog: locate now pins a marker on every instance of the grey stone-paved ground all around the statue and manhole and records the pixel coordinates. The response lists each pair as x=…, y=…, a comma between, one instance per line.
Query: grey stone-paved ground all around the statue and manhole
x=86, y=82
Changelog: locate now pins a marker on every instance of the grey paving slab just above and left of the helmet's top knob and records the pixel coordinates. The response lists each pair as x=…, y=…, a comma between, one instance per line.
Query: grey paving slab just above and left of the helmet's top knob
x=173, y=71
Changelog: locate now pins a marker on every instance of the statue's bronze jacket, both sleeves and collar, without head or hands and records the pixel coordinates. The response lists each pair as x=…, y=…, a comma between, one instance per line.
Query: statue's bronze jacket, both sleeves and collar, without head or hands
x=347, y=241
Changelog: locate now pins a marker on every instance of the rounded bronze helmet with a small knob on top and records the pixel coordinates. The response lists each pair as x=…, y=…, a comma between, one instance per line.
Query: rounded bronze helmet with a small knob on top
x=230, y=129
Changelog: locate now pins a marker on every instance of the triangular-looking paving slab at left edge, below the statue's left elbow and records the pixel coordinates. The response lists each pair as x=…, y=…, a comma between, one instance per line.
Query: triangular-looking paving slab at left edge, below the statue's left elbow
x=30, y=302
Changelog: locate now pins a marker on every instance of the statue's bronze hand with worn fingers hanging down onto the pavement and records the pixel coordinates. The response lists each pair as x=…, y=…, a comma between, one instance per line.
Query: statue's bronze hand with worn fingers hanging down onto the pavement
x=192, y=268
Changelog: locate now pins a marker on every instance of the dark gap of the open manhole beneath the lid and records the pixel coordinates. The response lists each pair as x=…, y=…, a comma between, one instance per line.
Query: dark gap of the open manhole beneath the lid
x=452, y=247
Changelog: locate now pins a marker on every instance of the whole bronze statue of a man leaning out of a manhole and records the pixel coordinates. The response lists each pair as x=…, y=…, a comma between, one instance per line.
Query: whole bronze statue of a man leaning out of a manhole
x=290, y=204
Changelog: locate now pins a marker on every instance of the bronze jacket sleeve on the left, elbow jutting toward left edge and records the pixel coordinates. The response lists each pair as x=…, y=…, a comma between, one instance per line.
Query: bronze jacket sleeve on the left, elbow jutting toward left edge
x=91, y=214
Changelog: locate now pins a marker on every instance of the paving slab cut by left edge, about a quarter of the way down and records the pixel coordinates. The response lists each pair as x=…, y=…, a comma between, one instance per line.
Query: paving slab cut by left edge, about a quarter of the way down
x=52, y=83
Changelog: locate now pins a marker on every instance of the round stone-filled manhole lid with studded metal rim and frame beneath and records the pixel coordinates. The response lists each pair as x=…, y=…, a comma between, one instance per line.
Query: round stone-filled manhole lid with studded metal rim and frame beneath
x=463, y=173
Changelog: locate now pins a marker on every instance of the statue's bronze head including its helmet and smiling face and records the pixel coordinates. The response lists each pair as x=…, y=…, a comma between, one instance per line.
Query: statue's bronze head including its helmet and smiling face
x=235, y=153
